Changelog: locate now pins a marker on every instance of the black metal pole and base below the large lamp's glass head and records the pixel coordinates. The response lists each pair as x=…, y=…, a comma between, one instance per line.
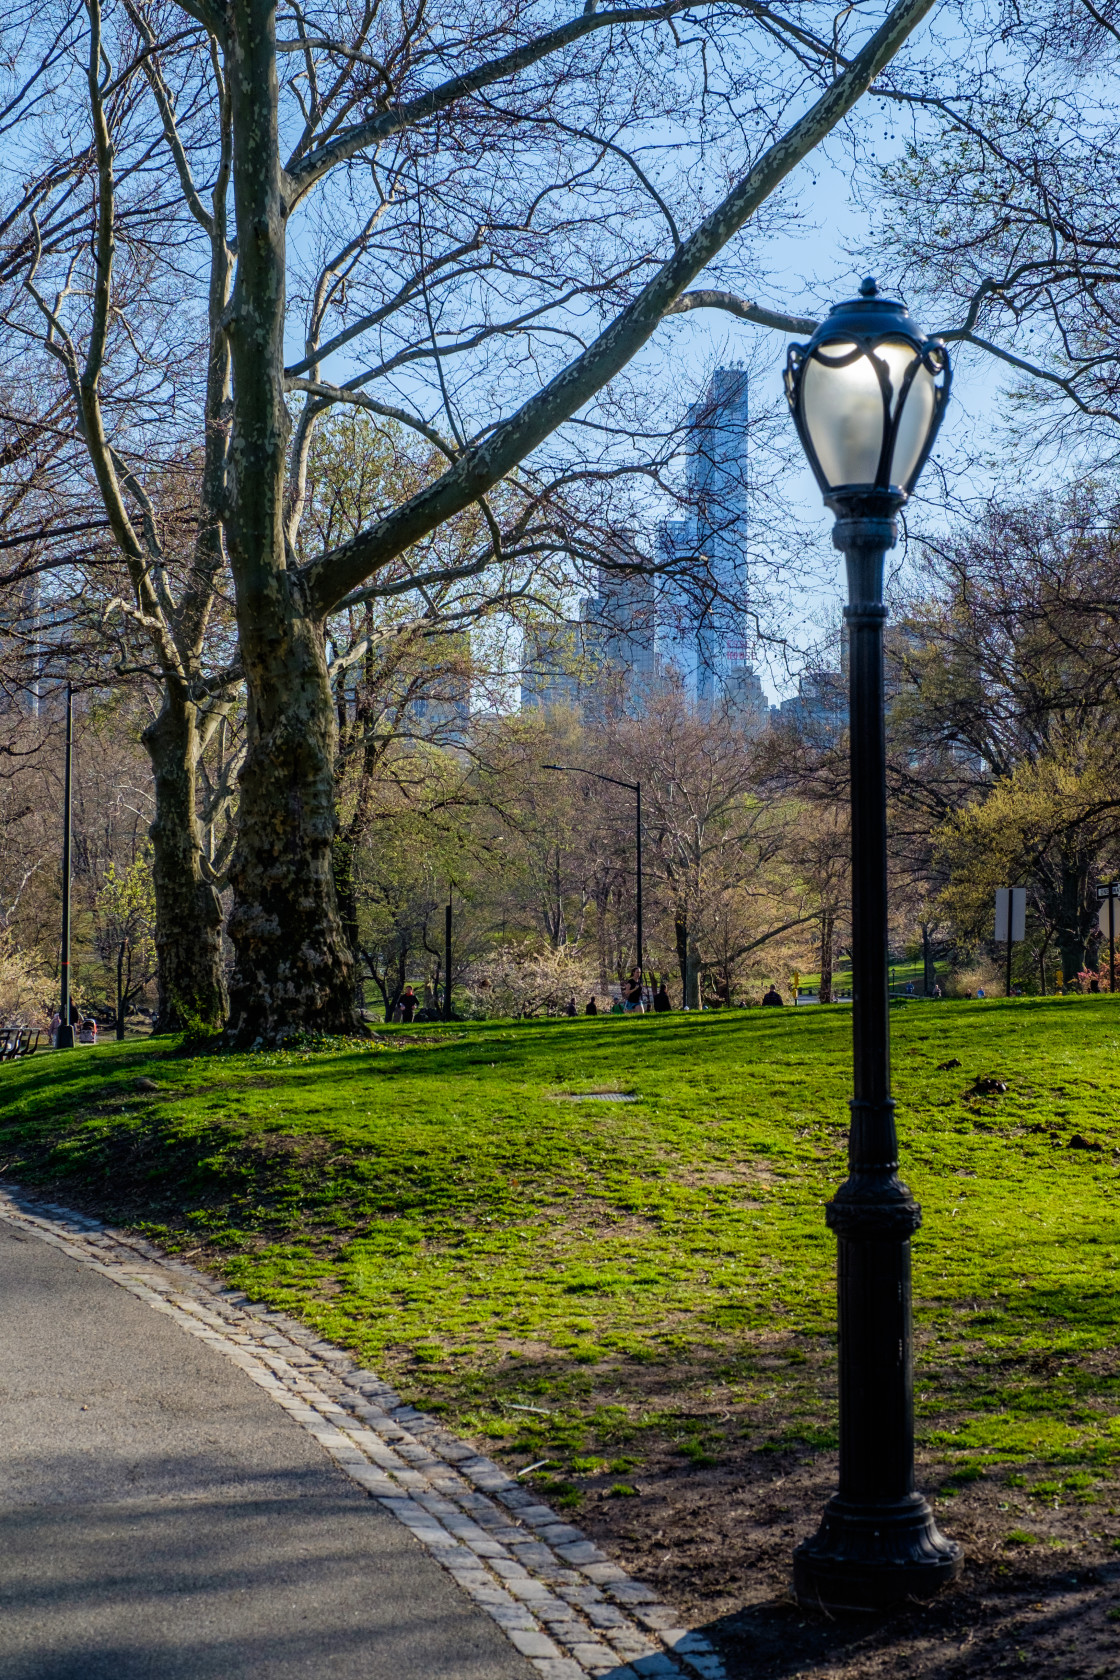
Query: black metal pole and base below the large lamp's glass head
x=877, y=1543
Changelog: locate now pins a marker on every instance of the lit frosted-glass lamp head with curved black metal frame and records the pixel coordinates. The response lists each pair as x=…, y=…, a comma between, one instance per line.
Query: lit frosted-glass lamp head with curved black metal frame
x=867, y=396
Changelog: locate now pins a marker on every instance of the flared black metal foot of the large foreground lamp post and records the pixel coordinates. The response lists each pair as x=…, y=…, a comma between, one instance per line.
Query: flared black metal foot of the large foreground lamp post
x=874, y=1557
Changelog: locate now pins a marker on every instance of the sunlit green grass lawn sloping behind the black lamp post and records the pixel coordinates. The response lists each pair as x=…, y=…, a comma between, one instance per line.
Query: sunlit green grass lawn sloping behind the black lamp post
x=582, y=1283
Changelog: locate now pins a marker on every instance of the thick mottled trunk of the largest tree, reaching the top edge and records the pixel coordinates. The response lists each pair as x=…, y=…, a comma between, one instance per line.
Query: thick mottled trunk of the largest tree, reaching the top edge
x=293, y=963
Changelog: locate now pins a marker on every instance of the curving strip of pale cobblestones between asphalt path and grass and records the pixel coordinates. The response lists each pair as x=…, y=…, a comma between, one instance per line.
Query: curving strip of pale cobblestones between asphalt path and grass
x=557, y=1597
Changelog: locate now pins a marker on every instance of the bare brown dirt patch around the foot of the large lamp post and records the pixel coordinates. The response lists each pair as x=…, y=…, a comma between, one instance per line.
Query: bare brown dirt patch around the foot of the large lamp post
x=1040, y=1595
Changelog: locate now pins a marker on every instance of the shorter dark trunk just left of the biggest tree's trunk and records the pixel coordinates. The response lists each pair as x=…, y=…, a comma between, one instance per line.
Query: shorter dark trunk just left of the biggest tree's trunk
x=189, y=911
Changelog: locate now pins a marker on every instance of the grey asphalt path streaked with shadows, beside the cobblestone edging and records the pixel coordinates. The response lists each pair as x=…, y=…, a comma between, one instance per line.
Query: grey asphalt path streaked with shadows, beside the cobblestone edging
x=164, y=1520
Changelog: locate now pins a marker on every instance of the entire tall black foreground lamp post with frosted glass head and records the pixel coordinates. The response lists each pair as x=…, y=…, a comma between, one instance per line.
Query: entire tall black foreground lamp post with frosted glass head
x=867, y=397
